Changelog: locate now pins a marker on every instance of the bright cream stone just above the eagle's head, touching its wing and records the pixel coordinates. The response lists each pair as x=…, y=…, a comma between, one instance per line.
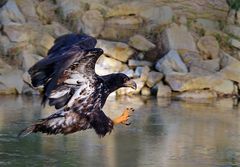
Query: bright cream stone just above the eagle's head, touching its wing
x=110, y=64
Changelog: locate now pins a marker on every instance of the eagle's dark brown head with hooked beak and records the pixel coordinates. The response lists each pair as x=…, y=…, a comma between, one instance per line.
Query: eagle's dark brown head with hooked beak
x=118, y=80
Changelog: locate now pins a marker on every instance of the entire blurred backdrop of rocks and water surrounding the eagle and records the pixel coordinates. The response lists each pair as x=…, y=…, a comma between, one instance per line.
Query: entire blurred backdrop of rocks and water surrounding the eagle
x=184, y=56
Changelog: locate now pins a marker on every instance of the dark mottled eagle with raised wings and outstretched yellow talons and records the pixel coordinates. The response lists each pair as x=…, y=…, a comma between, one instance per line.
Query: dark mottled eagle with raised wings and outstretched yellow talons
x=71, y=85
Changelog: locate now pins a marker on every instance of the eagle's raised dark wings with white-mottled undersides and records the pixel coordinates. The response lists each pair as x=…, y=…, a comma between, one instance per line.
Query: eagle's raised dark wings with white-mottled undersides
x=69, y=62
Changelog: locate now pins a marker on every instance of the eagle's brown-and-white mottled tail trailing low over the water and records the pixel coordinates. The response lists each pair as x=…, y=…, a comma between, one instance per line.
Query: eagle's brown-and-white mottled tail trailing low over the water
x=62, y=122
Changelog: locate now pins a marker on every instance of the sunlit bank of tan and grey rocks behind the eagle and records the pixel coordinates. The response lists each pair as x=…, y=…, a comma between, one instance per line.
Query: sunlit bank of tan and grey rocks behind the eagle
x=187, y=49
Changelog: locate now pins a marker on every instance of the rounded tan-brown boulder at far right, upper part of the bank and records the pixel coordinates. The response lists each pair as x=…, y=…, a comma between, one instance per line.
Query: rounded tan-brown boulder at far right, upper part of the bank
x=209, y=47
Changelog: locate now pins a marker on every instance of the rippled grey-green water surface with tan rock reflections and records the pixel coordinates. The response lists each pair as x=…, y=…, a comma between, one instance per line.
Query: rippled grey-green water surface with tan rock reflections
x=164, y=133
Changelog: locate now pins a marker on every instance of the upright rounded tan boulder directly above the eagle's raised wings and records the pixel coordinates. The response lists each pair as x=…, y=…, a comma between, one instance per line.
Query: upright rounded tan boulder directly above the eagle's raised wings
x=93, y=23
